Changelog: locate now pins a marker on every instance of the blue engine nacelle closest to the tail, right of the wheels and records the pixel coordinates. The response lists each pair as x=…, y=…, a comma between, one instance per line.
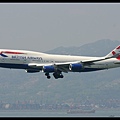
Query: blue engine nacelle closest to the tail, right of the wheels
x=76, y=67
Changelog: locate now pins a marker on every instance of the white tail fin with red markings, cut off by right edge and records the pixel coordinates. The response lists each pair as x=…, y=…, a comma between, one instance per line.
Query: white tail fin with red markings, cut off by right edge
x=114, y=53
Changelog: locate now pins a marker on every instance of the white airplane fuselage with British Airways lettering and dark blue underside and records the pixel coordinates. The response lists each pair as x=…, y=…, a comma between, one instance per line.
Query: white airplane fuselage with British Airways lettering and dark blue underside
x=20, y=59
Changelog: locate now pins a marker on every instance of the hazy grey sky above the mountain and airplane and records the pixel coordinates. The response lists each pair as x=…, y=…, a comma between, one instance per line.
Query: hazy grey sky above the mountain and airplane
x=42, y=27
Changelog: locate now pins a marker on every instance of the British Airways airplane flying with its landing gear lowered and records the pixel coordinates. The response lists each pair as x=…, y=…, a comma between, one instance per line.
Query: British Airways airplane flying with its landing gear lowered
x=33, y=62
